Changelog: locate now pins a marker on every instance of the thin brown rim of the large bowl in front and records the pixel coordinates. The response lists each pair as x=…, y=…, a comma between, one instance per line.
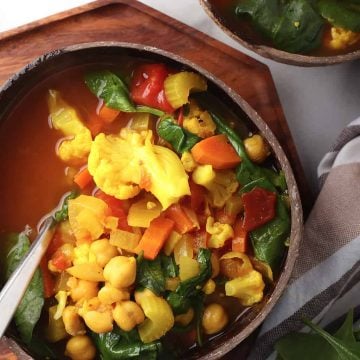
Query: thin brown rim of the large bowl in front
x=296, y=208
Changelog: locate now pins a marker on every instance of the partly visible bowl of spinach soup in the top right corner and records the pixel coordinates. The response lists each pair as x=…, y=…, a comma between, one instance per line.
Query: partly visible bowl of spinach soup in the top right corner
x=297, y=32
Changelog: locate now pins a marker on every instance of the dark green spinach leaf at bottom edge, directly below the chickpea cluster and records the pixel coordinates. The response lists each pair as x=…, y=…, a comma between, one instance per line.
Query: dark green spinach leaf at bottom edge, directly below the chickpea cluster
x=119, y=345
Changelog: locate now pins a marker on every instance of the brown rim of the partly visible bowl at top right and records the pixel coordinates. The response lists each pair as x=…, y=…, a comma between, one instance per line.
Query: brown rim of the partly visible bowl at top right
x=280, y=55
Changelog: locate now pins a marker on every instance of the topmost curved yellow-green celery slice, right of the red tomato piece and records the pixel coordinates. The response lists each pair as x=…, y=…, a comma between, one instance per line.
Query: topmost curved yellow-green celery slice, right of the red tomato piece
x=179, y=86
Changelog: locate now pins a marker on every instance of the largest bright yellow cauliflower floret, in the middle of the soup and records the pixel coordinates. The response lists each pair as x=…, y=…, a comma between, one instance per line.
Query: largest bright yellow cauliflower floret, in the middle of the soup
x=123, y=164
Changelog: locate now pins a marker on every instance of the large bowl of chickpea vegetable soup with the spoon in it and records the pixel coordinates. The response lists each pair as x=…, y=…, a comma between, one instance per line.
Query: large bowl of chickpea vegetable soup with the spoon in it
x=177, y=217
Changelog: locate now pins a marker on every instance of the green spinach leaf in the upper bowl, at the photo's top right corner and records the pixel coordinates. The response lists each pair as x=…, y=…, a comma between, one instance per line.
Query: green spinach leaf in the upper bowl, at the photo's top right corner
x=344, y=13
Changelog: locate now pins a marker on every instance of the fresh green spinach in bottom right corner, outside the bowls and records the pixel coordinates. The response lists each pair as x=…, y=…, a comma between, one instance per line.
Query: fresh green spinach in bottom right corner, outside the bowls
x=320, y=345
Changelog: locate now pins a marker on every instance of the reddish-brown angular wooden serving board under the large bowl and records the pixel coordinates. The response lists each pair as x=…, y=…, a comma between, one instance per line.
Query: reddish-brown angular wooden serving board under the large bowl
x=131, y=21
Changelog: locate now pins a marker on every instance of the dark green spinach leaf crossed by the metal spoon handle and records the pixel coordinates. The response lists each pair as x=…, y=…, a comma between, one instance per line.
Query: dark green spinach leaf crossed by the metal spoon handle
x=29, y=309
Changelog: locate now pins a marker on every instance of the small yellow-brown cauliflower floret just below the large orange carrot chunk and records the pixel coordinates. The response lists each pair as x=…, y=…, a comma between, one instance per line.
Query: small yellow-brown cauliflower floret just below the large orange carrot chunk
x=220, y=184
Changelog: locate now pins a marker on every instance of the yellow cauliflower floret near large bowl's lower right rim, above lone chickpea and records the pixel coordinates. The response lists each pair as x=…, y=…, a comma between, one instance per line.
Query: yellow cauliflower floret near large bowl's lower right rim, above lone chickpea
x=247, y=288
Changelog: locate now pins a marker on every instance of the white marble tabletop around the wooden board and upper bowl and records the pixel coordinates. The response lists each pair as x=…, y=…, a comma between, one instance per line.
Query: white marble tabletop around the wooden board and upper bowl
x=318, y=102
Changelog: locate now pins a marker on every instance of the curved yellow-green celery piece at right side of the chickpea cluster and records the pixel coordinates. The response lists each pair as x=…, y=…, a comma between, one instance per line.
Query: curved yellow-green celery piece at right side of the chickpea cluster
x=159, y=318
